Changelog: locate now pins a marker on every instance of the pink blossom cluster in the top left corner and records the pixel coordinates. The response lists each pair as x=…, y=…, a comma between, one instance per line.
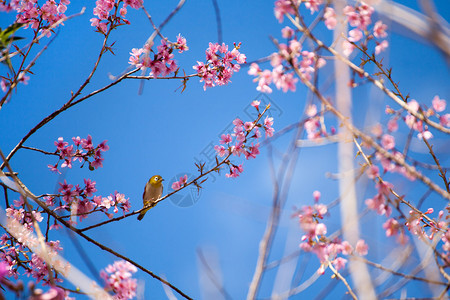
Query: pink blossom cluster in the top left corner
x=31, y=14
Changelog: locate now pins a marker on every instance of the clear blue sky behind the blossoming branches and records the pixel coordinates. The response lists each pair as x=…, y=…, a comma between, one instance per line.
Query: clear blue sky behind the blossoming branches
x=163, y=131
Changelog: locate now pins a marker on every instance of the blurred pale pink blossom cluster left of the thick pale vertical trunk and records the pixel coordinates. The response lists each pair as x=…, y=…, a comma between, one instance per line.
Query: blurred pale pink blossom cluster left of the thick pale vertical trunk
x=282, y=75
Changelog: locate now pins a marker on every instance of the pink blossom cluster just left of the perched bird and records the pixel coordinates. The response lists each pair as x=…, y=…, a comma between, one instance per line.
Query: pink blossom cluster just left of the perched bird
x=83, y=201
